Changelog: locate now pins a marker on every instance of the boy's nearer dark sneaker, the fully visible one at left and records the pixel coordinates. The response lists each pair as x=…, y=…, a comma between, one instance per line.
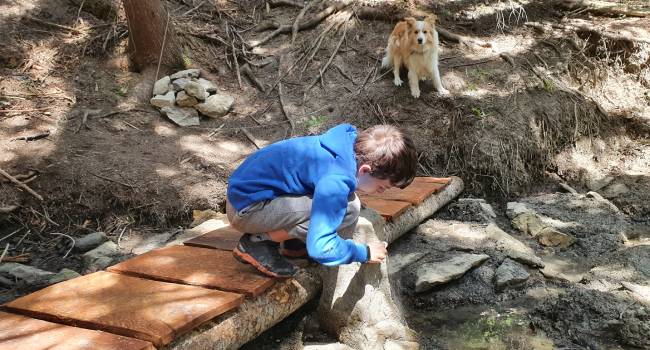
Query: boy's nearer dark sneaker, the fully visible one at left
x=264, y=256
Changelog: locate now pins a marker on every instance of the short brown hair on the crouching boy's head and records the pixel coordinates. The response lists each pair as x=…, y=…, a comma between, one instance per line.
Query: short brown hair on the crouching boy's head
x=390, y=153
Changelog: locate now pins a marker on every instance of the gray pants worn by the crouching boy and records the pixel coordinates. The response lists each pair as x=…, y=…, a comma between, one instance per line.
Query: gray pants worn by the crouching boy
x=290, y=213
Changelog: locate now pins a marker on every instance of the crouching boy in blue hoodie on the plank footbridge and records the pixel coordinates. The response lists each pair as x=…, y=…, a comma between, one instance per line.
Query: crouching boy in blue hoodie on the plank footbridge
x=305, y=187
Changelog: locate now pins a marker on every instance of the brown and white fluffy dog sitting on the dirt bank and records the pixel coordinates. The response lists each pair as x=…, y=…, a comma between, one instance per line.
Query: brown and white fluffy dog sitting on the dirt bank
x=414, y=45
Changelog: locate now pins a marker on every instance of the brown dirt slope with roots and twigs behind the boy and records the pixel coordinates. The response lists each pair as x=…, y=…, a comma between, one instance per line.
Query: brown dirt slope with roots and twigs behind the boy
x=552, y=96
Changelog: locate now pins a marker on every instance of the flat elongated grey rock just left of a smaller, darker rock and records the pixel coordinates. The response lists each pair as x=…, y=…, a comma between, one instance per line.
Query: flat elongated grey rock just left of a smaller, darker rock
x=432, y=274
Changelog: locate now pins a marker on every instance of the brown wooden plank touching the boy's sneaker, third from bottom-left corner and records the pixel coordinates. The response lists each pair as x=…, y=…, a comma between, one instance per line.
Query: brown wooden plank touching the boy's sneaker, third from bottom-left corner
x=203, y=267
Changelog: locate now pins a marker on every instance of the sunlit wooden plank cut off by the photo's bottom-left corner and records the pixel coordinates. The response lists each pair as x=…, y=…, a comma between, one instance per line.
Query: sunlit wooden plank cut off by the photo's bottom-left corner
x=20, y=332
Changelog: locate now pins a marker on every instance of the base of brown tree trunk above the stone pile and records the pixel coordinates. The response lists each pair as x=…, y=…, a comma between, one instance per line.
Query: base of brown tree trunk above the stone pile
x=150, y=28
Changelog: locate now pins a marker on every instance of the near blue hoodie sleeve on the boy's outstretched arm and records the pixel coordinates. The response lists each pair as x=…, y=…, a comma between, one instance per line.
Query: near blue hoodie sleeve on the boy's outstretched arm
x=328, y=210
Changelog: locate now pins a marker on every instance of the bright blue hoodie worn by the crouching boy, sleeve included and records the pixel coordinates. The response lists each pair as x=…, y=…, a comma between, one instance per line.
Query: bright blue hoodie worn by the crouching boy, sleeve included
x=323, y=166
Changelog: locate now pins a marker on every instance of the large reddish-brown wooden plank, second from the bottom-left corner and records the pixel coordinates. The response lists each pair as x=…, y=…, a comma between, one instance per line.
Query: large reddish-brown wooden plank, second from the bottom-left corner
x=148, y=310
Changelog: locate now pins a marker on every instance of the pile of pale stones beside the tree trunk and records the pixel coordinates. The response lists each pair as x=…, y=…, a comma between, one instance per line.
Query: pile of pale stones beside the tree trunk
x=184, y=94
